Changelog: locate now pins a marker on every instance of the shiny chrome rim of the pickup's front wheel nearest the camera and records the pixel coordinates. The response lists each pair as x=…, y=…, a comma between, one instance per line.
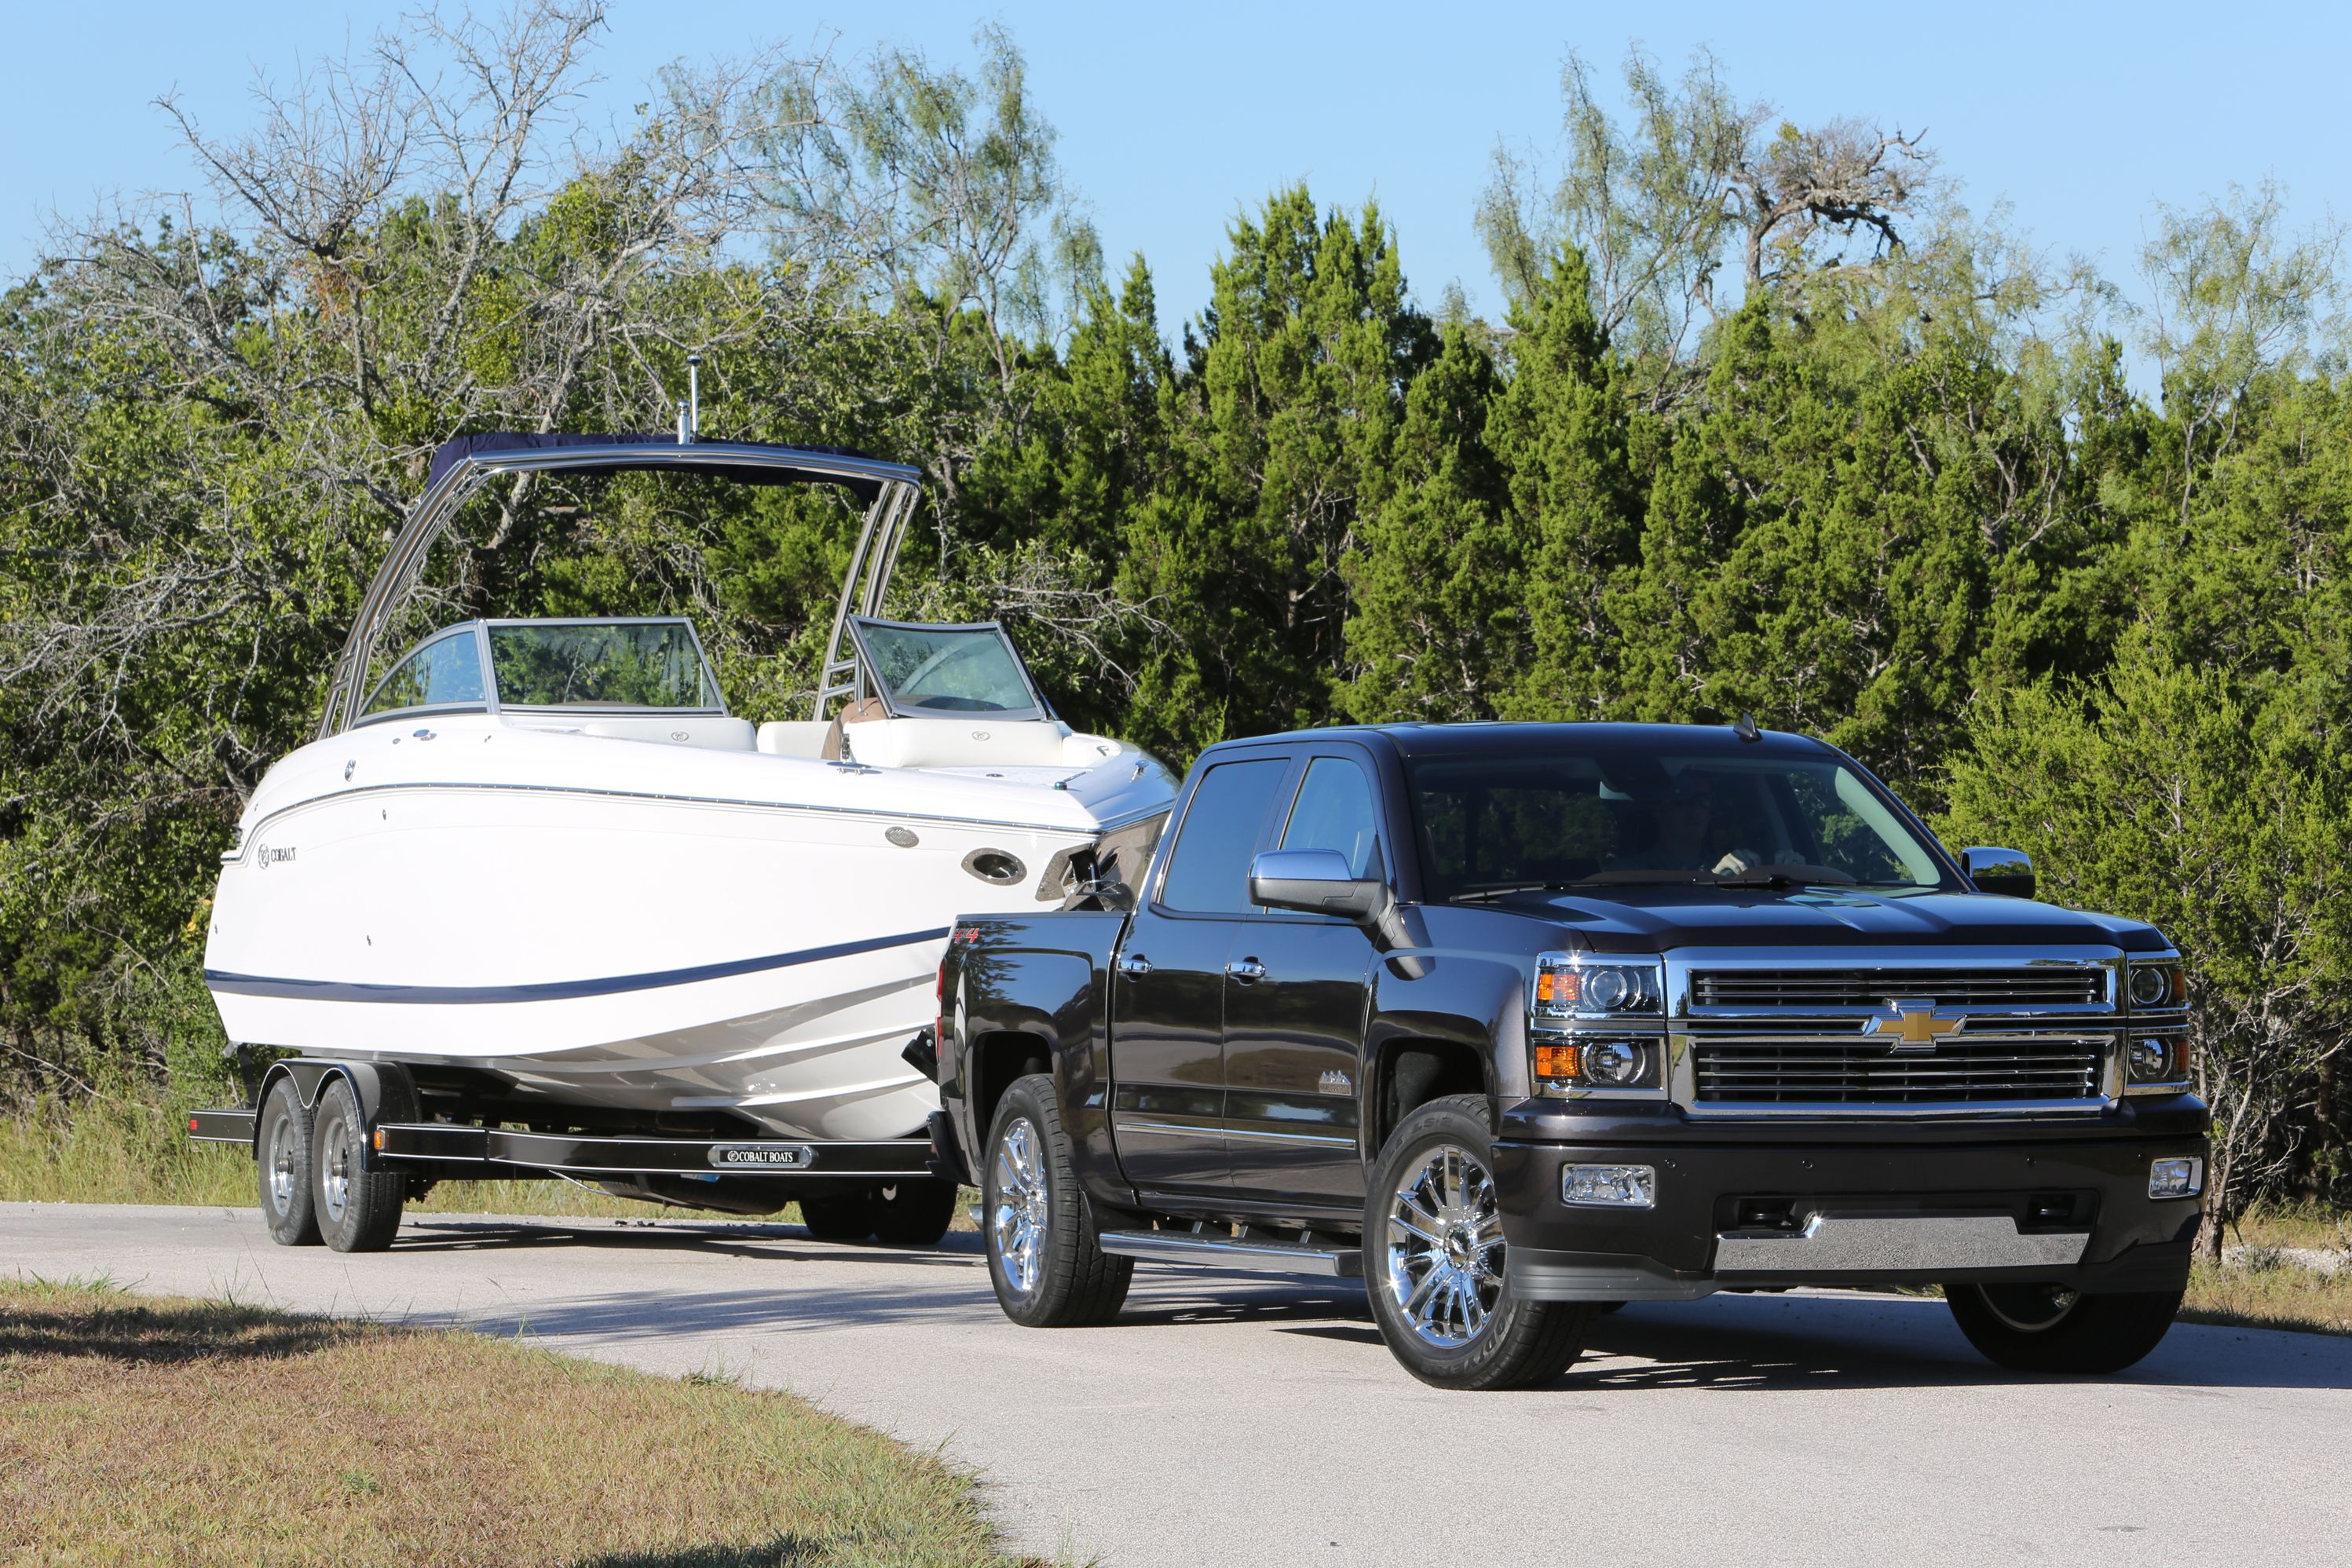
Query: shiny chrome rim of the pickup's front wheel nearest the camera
x=1445, y=1247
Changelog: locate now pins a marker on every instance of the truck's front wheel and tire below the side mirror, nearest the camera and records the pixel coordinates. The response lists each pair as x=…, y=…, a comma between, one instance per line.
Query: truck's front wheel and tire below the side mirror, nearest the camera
x=1434, y=1261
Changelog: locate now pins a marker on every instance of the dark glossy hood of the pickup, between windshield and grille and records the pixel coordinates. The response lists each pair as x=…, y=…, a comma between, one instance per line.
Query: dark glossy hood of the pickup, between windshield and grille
x=1659, y=918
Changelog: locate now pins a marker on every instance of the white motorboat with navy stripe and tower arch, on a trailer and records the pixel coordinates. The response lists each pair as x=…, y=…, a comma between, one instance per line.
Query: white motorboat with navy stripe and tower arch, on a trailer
x=542, y=862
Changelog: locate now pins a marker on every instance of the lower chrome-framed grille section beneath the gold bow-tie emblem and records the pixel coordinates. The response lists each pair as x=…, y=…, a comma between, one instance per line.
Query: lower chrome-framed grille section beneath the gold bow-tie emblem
x=1866, y=1073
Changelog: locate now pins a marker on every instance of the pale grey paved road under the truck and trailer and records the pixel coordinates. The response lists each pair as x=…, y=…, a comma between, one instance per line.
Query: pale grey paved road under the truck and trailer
x=1245, y=1421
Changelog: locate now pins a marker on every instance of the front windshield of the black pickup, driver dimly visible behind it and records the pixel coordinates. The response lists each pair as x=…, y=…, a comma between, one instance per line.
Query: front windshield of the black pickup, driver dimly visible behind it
x=1598, y=817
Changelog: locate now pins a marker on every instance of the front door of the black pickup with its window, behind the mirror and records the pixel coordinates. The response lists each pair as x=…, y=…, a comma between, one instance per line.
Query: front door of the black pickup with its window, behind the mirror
x=1295, y=1010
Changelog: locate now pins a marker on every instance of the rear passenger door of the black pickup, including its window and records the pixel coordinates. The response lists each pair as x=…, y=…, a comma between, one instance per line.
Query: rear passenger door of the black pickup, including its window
x=1168, y=984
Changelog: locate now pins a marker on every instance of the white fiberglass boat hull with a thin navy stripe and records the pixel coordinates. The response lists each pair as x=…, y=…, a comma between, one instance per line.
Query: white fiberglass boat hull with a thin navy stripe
x=697, y=930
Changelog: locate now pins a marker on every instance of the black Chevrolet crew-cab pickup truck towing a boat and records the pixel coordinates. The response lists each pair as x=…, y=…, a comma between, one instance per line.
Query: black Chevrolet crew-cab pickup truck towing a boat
x=1525, y=1021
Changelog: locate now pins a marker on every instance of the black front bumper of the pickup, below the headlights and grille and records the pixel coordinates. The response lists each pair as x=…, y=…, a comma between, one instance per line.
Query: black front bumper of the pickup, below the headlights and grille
x=1852, y=1202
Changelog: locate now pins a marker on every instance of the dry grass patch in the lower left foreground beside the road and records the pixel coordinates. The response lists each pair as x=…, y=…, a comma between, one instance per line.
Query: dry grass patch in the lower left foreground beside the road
x=203, y=1433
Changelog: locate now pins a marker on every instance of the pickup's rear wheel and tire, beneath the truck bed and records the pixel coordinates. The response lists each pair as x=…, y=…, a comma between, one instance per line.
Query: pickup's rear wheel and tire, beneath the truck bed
x=1036, y=1224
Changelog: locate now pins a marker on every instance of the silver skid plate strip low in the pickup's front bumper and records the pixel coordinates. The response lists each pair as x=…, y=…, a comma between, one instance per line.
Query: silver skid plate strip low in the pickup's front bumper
x=1887, y=1245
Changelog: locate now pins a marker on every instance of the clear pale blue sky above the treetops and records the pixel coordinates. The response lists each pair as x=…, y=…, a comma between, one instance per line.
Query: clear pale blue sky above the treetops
x=1175, y=119
